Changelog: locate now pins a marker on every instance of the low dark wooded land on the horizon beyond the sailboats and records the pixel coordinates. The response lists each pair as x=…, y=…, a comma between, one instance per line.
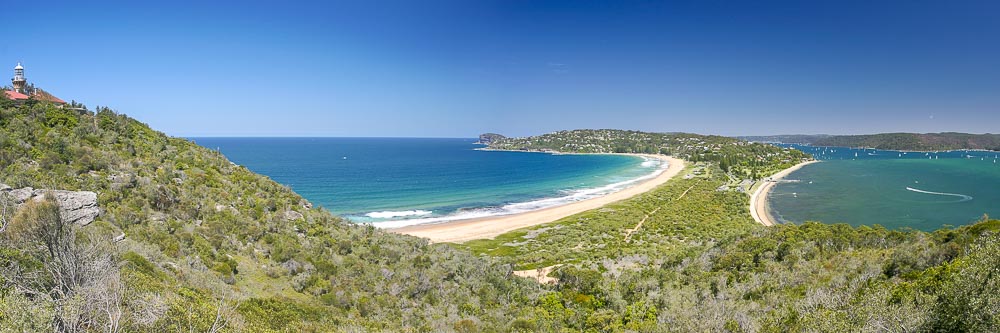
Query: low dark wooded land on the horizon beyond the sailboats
x=893, y=141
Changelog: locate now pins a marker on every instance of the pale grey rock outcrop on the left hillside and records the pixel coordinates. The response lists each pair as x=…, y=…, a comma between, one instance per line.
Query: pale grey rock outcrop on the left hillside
x=78, y=207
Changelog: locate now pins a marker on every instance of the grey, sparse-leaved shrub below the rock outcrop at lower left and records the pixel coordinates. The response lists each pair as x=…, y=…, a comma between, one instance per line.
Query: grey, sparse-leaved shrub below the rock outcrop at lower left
x=74, y=273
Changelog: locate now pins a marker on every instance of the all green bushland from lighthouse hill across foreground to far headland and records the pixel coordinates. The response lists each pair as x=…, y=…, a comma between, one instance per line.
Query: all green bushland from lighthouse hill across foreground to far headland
x=211, y=246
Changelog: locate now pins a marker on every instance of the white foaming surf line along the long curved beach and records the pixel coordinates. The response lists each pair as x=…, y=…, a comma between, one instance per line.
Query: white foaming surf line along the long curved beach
x=521, y=207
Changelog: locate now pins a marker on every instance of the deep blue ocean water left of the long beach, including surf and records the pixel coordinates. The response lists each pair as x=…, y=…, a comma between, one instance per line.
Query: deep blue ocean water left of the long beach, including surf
x=392, y=182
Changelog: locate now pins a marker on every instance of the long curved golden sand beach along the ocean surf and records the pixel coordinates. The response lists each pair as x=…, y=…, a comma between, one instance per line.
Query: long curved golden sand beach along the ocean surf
x=489, y=227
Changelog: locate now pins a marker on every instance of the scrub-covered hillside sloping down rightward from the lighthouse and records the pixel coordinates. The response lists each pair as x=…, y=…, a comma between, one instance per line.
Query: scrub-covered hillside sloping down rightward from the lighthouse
x=206, y=238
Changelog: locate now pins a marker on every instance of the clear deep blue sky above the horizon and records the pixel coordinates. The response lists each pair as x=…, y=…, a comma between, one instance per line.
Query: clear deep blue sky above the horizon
x=459, y=68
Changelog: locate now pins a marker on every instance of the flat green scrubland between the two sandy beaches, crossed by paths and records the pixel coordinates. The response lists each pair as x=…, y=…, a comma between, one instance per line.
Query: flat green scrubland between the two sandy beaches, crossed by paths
x=681, y=216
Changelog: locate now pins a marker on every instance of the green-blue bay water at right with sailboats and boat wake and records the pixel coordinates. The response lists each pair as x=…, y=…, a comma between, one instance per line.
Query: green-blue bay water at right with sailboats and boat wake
x=923, y=191
